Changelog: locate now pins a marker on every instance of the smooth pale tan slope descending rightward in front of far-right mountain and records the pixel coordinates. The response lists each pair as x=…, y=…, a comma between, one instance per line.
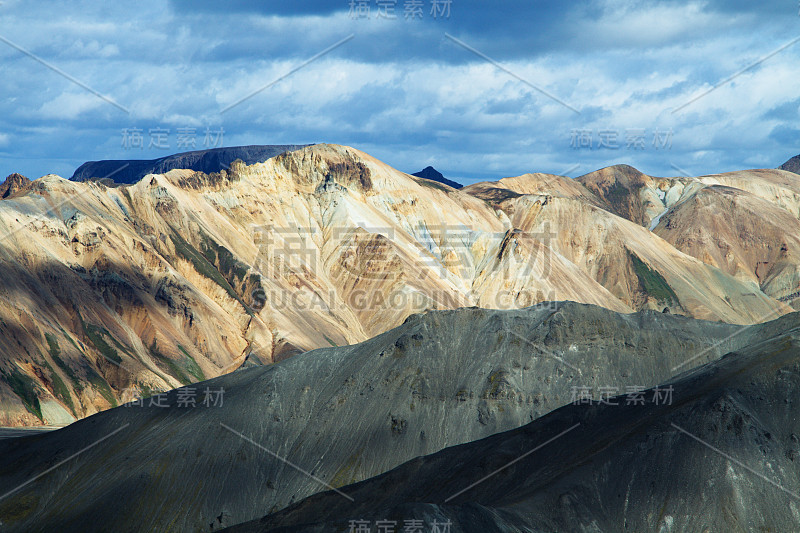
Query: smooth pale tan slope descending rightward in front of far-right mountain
x=640, y=269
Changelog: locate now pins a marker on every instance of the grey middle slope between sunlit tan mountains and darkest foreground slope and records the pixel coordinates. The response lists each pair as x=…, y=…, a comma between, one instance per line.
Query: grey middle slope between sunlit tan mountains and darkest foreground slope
x=340, y=415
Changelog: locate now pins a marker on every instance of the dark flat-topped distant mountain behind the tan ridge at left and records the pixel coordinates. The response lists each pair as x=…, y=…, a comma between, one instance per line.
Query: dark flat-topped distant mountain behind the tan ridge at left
x=130, y=171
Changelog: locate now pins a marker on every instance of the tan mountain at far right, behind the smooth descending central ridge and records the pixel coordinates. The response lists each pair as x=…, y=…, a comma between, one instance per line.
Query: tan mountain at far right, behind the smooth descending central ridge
x=755, y=241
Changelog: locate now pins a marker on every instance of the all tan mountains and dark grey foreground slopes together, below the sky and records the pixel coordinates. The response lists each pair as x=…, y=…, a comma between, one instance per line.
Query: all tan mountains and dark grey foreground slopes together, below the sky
x=320, y=342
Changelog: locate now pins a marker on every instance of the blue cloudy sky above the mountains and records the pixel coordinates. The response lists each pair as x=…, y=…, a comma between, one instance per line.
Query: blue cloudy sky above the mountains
x=479, y=89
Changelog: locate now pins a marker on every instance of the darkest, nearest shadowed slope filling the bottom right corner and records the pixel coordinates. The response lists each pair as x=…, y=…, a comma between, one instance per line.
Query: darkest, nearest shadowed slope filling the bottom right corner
x=722, y=456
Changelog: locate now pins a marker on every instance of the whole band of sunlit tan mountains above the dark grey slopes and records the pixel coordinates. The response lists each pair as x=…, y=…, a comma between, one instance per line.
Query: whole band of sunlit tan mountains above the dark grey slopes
x=112, y=292
